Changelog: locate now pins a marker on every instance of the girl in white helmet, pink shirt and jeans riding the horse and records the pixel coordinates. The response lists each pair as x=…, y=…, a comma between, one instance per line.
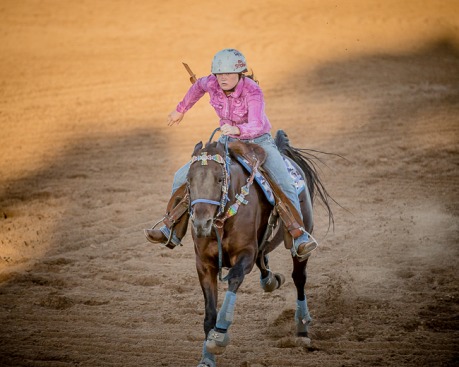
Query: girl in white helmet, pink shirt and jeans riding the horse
x=239, y=103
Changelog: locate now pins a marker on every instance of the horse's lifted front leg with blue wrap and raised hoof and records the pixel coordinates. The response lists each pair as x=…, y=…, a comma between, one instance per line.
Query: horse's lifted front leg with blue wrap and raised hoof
x=218, y=338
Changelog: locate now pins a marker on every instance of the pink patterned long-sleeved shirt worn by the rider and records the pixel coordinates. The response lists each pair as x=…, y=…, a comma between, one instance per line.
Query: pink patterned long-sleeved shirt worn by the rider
x=244, y=108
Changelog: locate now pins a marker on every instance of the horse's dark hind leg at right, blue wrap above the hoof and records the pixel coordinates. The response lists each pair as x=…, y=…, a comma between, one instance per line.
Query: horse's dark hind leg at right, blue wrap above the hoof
x=302, y=316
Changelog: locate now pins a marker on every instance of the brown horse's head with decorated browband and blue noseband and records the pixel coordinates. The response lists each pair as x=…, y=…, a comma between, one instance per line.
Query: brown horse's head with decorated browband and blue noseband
x=207, y=185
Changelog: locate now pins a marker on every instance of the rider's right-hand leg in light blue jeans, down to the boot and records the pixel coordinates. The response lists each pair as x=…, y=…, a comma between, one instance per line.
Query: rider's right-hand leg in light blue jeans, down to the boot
x=274, y=165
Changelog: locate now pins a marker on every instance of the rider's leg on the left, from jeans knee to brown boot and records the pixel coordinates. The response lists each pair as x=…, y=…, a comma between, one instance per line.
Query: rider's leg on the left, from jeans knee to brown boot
x=175, y=218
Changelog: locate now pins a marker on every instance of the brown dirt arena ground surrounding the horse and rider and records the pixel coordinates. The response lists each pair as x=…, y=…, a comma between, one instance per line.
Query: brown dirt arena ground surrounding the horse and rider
x=88, y=161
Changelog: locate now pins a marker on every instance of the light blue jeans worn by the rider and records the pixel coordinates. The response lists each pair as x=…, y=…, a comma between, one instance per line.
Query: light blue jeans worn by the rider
x=274, y=165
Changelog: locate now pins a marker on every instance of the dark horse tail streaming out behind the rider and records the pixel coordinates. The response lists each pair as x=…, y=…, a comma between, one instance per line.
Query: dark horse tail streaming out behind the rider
x=305, y=160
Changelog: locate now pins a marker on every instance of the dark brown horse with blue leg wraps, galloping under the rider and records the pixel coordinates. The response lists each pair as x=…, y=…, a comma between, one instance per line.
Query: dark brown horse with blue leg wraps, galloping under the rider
x=230, y=220
